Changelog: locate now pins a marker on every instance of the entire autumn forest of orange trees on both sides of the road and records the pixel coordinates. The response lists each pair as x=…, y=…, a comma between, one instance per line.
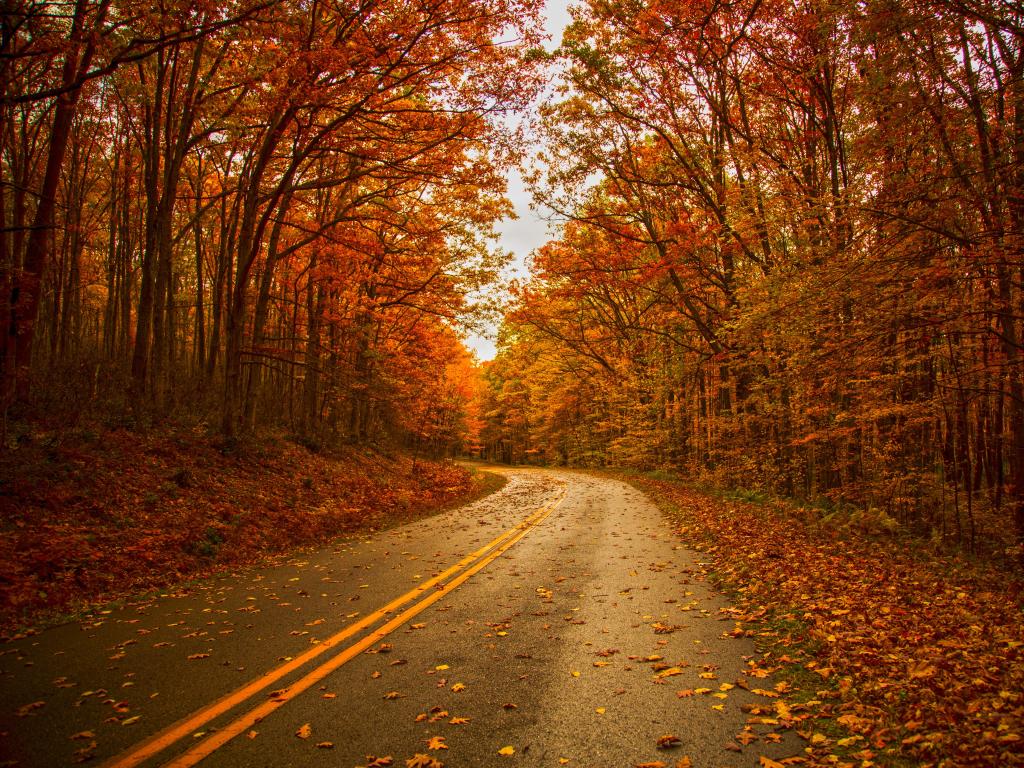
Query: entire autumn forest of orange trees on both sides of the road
x=788, y=258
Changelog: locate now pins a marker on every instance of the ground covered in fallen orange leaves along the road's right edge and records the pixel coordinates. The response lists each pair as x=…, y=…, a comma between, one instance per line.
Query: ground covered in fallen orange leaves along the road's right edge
x=898, y=656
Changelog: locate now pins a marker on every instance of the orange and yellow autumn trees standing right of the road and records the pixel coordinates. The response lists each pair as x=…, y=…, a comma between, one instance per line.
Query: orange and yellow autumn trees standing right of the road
x=791, y=263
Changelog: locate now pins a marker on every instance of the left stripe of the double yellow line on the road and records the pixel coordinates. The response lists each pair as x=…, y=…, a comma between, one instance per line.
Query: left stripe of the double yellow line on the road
x=190, y=724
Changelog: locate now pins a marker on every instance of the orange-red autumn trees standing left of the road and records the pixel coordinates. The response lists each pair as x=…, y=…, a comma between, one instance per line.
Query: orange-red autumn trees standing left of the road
x=286, y=205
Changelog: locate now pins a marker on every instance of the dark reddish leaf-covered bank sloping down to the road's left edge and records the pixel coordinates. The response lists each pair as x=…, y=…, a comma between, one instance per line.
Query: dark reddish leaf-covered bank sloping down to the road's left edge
x=101, y=517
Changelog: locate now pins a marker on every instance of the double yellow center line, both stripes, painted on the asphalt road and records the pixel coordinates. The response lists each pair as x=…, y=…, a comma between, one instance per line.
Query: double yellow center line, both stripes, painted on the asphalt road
x=438, y=587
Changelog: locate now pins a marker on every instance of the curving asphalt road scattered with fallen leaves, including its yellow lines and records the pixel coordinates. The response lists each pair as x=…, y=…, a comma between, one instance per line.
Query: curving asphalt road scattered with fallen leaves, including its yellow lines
x=557, y=622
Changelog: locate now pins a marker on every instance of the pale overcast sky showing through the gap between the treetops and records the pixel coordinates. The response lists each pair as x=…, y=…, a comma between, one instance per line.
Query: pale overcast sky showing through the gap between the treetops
x=523, y=235
